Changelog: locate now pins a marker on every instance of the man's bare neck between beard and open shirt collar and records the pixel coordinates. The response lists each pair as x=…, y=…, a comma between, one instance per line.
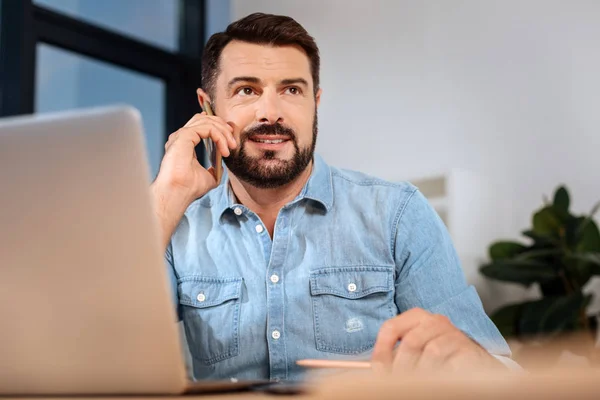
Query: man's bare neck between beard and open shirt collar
x=266, y=203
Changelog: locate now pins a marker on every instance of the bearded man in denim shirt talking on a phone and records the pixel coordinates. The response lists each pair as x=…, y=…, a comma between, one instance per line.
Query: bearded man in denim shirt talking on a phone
x=288, y=258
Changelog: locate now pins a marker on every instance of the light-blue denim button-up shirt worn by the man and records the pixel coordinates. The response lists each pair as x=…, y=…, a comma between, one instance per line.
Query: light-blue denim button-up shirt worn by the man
x=350, y=252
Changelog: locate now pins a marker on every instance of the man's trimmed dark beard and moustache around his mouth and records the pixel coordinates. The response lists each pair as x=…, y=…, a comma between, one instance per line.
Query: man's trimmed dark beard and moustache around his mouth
x=250, y=170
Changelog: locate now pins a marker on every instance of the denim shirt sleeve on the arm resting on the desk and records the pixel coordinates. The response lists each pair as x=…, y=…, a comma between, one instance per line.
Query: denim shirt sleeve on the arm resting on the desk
x=429, y=275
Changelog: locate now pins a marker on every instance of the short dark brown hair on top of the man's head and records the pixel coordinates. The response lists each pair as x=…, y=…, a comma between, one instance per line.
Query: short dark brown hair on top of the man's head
x=259, y=28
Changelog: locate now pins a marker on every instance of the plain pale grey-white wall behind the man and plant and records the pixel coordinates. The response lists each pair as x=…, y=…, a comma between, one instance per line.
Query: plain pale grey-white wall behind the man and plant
x=508, y=89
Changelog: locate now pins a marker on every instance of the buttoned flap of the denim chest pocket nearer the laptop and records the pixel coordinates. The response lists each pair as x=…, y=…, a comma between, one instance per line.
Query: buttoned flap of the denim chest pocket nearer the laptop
x=202, y=292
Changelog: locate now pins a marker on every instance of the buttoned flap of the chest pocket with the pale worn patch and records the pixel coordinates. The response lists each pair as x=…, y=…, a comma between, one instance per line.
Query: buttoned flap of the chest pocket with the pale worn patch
x=352, y=282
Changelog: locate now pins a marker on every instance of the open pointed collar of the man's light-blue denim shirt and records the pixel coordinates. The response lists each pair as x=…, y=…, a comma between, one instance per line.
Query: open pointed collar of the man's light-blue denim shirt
x=318, y=188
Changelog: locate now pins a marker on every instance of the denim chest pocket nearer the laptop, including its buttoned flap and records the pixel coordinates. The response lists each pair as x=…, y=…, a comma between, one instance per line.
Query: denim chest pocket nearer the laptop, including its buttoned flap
x=210, y=309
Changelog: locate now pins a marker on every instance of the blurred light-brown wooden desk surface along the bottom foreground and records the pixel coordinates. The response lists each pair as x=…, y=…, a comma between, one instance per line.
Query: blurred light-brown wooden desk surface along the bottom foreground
x=548, y=385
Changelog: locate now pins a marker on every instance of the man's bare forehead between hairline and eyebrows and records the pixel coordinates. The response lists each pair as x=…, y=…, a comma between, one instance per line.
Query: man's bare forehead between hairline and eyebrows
x=263, y=61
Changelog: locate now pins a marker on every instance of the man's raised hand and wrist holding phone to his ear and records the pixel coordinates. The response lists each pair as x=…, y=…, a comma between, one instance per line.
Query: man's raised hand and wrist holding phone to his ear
x=181, y=178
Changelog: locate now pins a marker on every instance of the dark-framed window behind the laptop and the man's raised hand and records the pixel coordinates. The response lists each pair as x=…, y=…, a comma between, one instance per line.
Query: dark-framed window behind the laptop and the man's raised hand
x=64, y=54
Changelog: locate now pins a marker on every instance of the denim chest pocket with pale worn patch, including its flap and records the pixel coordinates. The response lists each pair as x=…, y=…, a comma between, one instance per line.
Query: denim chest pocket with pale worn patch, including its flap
x=349, y=306
